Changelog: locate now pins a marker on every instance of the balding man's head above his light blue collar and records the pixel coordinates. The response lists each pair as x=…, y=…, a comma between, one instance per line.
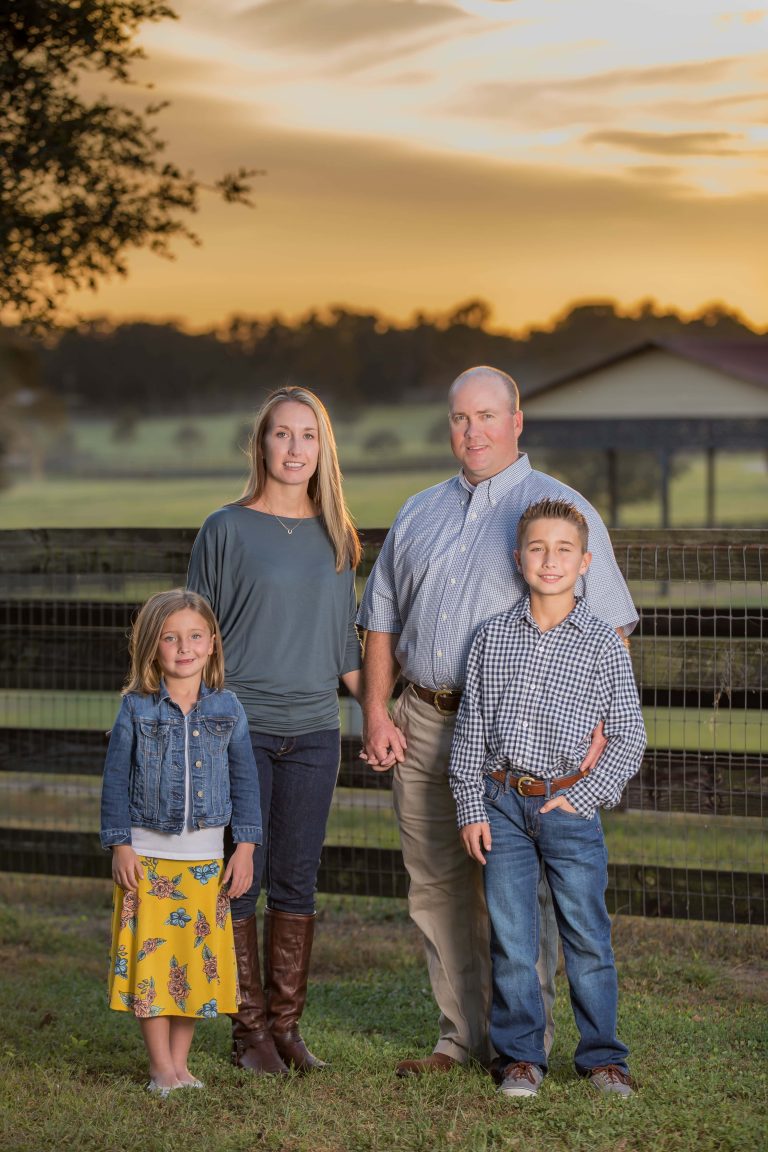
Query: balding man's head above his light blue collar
x=484, y=429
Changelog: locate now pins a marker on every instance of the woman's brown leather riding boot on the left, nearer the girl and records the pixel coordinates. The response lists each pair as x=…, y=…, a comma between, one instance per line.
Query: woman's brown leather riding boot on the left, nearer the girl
x=253, y=1045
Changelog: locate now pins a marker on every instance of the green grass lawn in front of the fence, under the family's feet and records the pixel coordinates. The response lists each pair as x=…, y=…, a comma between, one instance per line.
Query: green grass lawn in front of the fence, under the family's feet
x=694, y=1012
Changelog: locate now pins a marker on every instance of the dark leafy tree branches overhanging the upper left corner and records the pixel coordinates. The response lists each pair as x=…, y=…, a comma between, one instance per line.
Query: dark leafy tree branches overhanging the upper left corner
x=83, y=180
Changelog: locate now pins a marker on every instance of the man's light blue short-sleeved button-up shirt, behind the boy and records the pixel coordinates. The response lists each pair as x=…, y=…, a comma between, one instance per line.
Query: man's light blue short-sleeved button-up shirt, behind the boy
x=447, y=566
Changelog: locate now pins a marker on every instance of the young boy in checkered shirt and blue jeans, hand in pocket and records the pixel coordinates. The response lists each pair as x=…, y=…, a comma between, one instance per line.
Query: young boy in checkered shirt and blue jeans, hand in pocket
x=539, y=680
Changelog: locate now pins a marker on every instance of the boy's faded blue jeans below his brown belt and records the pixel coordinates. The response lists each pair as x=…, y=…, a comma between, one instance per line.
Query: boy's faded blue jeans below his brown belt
x=574, y=854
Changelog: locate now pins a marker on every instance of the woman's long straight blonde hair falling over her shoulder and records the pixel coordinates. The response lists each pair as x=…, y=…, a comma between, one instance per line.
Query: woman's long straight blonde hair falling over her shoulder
x=325, y=487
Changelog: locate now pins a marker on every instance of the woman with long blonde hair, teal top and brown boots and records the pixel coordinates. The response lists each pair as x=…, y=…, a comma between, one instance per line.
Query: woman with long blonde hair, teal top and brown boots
x=278, y=567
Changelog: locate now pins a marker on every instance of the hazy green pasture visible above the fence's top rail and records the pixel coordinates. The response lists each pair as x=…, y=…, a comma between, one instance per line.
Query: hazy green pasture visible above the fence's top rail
x=109, y=497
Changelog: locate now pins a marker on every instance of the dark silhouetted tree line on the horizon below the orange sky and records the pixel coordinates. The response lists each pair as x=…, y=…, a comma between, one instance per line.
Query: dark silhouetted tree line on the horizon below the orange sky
x=351, y=359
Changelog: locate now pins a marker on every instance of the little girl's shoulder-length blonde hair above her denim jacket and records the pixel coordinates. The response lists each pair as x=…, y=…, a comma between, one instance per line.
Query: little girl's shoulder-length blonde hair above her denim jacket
x=145, y=676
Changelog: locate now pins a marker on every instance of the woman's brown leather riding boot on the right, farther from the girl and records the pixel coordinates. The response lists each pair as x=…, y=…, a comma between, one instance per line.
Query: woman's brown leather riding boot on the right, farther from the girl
x=287, y=951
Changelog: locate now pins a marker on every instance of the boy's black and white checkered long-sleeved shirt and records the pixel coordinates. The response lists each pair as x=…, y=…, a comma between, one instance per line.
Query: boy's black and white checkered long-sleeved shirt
x=533, y=701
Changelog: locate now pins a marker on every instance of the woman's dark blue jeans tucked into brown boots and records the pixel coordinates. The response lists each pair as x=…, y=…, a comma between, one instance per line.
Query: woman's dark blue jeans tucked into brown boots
x=298, y=777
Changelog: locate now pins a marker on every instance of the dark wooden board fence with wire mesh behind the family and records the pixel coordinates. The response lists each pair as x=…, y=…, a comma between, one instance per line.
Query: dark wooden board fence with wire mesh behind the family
x=689, y=840
